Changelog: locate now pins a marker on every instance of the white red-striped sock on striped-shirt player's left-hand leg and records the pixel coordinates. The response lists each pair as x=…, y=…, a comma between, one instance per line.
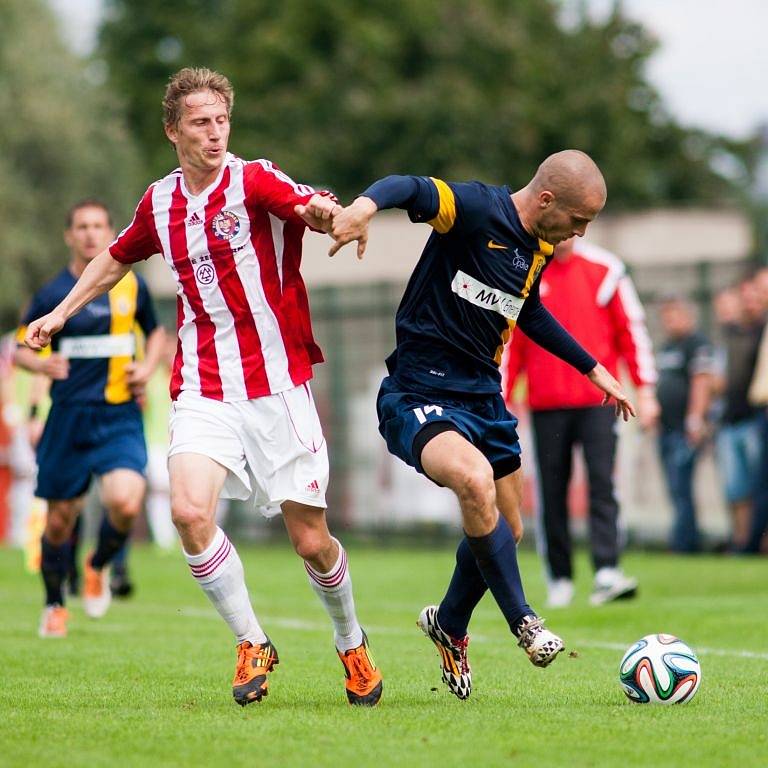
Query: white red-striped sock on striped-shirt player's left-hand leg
x=219, y=571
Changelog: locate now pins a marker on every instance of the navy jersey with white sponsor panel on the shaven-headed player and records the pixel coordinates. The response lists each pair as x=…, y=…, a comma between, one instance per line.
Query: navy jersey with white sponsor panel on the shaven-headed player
x=467, y=291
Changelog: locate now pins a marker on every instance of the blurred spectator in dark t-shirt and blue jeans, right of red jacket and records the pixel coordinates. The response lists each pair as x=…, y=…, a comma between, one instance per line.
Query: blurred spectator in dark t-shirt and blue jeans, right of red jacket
x=684, y=389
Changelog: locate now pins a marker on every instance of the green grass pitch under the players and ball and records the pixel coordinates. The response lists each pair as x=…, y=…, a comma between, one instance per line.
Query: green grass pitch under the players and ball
x=149, y=685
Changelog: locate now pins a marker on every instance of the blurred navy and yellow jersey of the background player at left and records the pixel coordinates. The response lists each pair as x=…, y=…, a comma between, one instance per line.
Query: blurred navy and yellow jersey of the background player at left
x=99, y=341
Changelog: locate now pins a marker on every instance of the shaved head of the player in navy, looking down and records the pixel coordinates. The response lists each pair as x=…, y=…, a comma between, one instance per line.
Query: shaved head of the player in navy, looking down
x=567, y=193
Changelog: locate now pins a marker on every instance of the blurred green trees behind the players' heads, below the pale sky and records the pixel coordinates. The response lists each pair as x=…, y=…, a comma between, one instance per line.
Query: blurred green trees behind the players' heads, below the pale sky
x=338, y=93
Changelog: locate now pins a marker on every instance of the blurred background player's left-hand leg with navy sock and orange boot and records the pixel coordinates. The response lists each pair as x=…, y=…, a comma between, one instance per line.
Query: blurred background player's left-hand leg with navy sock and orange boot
x=54, y=563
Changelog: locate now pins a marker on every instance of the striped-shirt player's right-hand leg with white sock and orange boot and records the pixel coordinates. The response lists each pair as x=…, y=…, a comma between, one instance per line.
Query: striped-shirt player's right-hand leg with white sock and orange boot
x=326, y=563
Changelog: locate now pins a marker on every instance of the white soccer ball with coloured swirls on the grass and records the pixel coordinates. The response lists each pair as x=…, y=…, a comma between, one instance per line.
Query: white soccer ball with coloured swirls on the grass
x=660, y=669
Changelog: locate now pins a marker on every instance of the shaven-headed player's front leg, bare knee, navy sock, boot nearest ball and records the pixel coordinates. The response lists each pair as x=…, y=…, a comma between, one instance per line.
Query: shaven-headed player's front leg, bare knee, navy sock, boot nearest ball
x=453, y=461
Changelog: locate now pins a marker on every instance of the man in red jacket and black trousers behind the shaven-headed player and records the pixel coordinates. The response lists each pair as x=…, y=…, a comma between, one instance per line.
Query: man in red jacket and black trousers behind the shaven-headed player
x=588, y=290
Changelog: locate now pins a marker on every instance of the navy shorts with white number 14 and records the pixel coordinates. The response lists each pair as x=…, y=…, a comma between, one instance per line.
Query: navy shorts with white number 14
x=408, y=420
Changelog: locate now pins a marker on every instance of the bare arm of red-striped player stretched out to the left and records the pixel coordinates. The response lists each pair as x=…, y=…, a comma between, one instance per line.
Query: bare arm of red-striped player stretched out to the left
x=98, y=277
